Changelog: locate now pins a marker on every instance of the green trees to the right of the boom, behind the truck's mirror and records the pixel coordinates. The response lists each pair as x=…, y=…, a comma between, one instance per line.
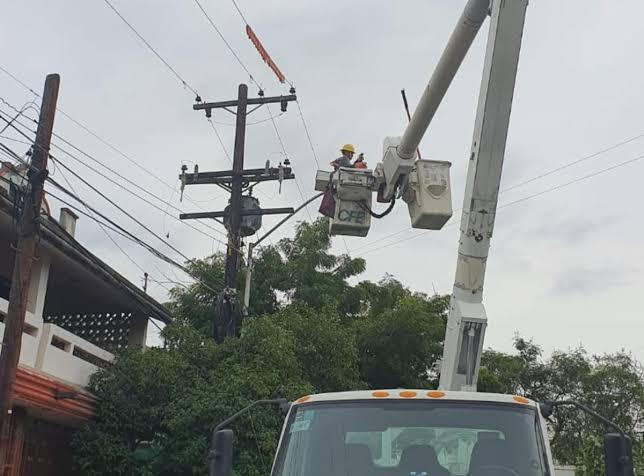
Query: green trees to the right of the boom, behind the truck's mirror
x=611, y=384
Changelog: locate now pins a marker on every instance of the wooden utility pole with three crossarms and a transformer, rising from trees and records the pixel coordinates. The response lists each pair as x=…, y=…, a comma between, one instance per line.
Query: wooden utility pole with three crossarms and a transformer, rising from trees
x=228, y=314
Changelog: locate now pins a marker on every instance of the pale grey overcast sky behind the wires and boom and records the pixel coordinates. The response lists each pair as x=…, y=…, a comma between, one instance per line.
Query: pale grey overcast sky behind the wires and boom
x=565, y=267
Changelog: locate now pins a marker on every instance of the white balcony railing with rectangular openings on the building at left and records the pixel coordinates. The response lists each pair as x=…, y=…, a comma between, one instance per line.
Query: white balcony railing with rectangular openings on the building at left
x=56, y=351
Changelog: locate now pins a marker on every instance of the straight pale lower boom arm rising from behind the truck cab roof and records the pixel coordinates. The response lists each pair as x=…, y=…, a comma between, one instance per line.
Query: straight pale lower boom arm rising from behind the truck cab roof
x=467, y=319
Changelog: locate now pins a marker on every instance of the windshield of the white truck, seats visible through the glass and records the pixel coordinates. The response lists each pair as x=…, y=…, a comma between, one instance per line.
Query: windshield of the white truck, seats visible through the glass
x=406, y=438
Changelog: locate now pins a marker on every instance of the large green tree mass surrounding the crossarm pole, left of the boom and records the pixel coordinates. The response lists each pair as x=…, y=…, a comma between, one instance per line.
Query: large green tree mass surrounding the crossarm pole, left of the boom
x=156, y=408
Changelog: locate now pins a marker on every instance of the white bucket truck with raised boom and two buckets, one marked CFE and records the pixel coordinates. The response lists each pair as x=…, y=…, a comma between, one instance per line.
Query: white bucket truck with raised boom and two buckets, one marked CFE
x=452, y=431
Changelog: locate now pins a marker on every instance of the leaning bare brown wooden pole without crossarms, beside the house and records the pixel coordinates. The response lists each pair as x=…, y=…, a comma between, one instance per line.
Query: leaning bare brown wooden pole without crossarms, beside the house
x=25, y=256
